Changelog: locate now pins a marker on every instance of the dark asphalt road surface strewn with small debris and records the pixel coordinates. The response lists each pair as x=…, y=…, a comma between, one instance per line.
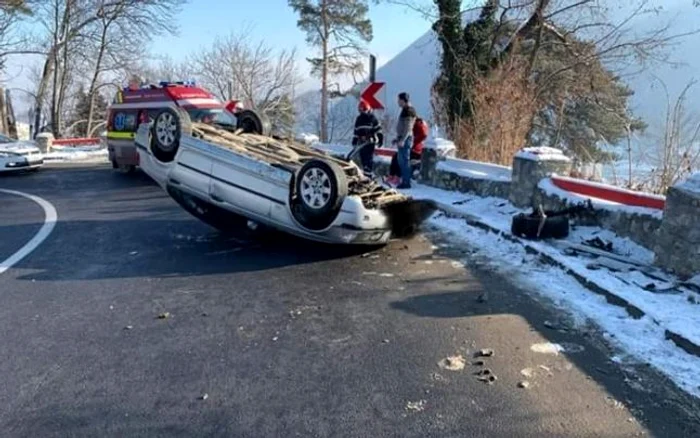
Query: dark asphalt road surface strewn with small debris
x=284, y=337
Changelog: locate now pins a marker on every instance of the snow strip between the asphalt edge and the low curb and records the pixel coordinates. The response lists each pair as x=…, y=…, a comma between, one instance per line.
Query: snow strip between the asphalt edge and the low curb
x=639, y=340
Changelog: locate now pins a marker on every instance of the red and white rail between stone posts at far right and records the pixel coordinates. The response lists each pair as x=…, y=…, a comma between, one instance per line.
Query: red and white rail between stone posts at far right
x=610, y=193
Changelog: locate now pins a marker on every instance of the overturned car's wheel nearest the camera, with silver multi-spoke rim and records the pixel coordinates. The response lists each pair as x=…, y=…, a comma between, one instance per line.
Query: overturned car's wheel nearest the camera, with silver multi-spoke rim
x=320, y=187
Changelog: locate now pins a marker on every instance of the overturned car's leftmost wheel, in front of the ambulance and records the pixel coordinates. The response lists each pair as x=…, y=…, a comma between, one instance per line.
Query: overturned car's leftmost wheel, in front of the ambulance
x=166, y=132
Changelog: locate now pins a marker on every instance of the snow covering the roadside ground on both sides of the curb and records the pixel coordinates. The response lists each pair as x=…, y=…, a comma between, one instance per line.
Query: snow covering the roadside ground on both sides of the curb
x=642, y=340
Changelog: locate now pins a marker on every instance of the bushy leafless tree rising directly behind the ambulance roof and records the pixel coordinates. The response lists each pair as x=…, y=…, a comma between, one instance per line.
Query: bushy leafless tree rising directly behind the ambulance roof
x=235, y=67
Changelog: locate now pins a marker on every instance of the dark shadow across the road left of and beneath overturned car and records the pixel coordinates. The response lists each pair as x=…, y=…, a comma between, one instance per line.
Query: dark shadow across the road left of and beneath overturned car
x=122, y=226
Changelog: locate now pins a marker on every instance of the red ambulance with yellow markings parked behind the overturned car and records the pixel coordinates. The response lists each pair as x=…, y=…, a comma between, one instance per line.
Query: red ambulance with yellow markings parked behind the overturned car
x=139, y=103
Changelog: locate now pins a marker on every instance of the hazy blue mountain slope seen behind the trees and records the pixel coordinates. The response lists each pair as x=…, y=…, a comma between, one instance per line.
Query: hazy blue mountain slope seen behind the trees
x=413, y=70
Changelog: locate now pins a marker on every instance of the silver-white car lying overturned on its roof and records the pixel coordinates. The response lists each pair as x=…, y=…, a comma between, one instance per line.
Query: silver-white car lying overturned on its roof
x=224, y=171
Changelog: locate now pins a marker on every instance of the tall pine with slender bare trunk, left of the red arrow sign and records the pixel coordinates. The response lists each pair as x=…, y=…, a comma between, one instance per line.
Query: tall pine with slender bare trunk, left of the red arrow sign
x=337, y=28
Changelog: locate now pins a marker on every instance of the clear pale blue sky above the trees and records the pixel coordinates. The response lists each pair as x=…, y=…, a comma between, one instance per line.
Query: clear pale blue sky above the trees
x=200, y=22
